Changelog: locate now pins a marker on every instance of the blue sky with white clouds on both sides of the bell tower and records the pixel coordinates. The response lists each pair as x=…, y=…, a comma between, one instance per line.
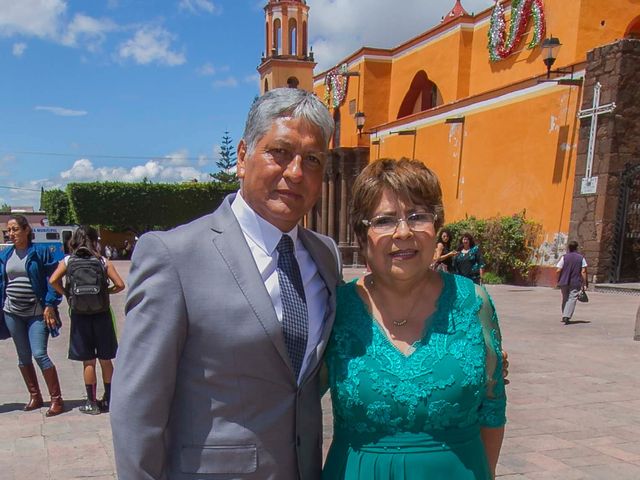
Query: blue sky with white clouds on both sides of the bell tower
x=127, y=89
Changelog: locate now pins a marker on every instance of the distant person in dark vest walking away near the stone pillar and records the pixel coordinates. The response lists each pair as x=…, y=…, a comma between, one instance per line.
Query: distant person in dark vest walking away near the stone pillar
x=572, y=278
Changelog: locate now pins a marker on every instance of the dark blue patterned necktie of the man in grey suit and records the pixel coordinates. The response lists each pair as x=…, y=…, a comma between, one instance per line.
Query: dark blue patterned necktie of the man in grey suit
x=295, y=319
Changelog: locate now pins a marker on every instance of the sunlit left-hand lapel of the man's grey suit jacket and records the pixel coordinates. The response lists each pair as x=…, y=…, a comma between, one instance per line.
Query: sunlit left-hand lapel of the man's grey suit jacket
x=230, y=242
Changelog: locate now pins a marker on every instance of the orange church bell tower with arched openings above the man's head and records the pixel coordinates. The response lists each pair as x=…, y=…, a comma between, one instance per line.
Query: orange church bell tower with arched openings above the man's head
x=286, y=60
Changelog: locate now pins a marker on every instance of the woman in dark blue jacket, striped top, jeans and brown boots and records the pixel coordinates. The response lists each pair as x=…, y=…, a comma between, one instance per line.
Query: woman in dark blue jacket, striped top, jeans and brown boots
x=29, y=305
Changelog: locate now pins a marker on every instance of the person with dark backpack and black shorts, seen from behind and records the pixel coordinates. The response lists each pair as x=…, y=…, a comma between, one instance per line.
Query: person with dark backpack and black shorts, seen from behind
x=92, y=332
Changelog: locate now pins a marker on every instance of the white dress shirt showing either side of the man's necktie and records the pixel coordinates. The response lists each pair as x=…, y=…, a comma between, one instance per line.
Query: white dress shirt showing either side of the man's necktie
x=263, y=238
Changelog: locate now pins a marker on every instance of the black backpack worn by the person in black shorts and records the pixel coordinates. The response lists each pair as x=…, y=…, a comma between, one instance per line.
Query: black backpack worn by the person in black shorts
x=87, y=283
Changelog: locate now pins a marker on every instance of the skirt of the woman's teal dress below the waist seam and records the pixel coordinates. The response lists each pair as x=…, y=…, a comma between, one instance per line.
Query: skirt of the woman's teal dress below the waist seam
x=448, y=455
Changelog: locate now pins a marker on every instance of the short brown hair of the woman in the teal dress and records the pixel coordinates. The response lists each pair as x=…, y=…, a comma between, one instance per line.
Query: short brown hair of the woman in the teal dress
x=409, y=179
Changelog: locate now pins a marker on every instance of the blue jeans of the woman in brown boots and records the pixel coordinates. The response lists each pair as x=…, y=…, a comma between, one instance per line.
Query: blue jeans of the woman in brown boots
x=30, y=336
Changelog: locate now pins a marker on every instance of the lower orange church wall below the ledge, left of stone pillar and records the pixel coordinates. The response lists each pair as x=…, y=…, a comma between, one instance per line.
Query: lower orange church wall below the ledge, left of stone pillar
x=532, y=171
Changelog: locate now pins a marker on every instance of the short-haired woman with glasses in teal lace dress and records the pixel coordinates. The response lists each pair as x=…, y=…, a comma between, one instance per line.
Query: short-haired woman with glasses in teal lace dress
x=414, y=362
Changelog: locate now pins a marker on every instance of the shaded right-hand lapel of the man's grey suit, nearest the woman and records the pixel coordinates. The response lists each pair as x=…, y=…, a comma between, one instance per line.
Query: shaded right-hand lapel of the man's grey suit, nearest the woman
x=327, y=268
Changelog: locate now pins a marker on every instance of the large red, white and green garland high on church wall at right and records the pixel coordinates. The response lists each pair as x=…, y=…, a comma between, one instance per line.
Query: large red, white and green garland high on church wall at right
x=502, y=45
